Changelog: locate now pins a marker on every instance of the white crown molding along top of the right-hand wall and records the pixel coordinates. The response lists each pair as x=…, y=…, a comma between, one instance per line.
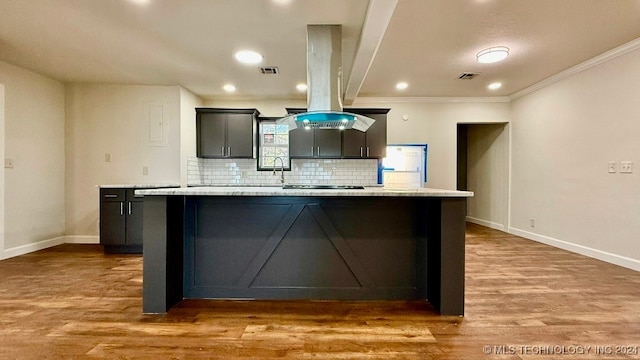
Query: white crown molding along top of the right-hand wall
x=593, y=62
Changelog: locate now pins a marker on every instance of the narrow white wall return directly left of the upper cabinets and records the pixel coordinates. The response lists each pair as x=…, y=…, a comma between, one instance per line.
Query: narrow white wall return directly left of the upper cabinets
x=188, y=103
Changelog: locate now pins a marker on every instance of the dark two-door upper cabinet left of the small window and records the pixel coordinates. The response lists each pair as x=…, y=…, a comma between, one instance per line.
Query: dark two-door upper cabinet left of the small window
x=226, y=133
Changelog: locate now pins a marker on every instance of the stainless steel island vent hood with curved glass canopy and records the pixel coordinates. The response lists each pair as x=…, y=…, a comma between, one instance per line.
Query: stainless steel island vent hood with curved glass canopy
x=324, y=85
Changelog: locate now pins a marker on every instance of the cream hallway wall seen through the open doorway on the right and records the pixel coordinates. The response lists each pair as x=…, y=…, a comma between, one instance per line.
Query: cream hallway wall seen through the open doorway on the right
x=488, y=174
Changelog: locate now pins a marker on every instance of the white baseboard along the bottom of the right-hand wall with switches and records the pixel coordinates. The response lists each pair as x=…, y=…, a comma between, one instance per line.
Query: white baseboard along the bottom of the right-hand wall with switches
x=605, y=256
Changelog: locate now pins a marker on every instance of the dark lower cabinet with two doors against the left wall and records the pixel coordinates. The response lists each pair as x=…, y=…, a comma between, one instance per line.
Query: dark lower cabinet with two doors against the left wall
x=120, y=220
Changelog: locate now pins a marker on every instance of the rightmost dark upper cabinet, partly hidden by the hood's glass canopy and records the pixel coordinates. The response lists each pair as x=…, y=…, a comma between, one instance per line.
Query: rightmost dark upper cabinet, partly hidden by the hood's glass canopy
x=369, y=144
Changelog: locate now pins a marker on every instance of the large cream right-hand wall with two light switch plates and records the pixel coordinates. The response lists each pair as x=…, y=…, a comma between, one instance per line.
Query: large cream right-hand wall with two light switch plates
x=563, y=137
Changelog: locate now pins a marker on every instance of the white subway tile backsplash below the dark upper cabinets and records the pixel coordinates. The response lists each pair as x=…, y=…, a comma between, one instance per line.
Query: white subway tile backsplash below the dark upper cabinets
x=303, y=171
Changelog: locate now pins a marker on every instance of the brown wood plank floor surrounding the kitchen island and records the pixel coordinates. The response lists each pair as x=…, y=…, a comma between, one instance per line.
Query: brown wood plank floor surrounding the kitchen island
x=524, y=300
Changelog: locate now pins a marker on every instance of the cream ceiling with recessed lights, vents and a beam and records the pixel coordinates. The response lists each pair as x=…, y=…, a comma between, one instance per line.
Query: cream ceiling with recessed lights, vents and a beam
x=427, y=43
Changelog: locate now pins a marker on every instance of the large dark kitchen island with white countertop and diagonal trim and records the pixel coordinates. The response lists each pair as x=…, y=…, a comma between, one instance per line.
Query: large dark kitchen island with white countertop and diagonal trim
x=275, y=243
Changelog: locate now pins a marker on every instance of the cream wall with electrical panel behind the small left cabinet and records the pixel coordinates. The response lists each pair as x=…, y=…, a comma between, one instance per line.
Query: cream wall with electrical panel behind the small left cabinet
x=115, y=119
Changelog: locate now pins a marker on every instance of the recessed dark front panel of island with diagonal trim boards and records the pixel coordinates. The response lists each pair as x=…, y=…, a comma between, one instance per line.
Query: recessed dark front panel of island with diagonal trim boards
x=301, y=248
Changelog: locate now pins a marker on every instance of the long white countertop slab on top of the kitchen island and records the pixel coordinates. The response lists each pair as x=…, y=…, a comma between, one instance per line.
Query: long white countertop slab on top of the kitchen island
x=279, y=191
